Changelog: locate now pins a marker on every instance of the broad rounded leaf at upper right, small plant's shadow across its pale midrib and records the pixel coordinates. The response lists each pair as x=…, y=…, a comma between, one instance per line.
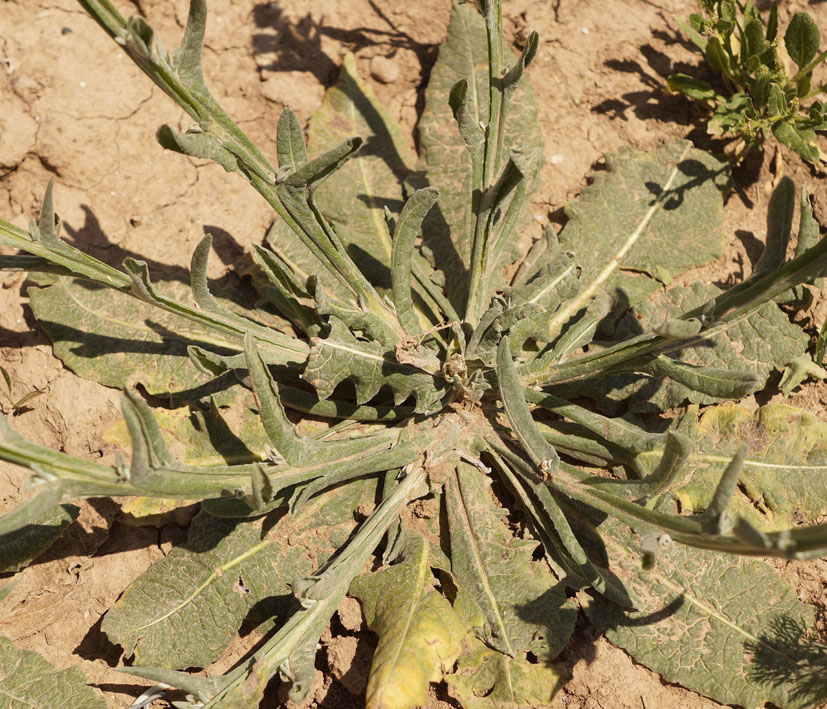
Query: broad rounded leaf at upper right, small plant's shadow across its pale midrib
x=684, y=231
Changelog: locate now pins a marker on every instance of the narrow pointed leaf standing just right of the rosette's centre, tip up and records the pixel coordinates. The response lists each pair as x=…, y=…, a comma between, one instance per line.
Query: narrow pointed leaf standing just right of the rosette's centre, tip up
x=540, y=451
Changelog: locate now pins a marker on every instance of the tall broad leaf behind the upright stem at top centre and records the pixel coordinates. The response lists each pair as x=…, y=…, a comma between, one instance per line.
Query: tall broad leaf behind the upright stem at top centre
x=464, y=55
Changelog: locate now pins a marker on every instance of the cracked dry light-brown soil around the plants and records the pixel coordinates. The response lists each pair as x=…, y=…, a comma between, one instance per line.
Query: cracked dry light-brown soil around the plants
x=76, y=110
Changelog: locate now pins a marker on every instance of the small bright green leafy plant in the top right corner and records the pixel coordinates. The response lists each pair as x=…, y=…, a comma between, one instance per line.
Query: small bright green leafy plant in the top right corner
x=764, y=98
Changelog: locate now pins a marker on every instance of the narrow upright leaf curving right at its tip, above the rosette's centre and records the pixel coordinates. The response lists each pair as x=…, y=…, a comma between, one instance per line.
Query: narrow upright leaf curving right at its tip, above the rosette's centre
x=408, y=226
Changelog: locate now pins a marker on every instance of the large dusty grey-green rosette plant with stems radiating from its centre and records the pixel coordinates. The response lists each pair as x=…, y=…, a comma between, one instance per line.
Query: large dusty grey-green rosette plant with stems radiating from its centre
x=459, y=464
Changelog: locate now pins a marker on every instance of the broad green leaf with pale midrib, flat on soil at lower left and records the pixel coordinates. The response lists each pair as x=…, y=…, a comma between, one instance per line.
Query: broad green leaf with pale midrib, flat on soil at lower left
x=201, y=592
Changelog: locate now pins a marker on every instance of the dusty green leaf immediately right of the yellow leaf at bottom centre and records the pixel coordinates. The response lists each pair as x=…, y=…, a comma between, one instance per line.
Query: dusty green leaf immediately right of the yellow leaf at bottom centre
x=524, y=607
